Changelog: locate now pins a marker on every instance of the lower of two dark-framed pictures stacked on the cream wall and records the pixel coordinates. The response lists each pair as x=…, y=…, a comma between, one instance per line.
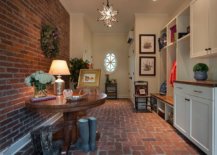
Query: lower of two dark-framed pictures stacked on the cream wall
x=147, y=66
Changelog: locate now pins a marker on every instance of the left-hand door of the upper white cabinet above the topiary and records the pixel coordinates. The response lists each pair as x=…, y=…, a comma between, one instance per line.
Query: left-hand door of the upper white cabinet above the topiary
x=199, y=28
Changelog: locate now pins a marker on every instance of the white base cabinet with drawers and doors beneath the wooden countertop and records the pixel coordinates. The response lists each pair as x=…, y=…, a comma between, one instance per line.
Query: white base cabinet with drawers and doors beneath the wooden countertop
x=195, y=114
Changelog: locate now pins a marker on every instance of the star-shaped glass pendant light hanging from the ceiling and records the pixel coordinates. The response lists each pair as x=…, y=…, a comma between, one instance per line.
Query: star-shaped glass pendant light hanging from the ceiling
x=107, y=15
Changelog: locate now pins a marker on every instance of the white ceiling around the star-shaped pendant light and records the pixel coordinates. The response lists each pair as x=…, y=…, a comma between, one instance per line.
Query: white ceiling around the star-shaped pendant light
x=126, y=8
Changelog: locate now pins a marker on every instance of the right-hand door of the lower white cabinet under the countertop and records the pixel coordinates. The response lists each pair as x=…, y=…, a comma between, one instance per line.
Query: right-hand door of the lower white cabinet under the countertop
x=201, y=123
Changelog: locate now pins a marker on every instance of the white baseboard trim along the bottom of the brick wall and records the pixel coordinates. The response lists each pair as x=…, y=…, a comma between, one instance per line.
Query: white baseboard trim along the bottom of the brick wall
x=18, y=145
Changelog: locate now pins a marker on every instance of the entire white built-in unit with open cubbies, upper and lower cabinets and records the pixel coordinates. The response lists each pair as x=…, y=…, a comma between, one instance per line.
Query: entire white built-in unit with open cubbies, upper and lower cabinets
x=195, y=103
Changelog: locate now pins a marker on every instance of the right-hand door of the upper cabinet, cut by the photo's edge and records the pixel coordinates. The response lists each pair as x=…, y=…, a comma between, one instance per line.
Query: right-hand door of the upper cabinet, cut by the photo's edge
x=213, y=26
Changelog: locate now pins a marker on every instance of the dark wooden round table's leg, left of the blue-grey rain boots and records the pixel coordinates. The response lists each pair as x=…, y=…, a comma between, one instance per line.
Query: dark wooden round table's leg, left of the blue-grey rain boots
x=70, y=130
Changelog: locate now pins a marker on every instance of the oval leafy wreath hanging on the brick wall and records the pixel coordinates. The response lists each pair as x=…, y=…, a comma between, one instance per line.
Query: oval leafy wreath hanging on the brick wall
x=49, y=41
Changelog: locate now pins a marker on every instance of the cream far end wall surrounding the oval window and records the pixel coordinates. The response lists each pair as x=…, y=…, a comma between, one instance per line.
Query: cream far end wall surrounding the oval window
x=103, y=43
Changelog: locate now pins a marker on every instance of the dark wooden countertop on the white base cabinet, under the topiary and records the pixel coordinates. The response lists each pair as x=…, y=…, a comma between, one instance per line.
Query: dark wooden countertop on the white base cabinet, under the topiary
x=200, y=83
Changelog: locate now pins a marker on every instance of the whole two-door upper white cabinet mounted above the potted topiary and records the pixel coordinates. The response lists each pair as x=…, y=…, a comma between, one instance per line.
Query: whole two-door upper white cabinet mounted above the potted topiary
x=203, y=28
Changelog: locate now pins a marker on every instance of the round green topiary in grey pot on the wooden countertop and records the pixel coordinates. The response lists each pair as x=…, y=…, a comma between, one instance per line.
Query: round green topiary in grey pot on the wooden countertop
x=200, y=71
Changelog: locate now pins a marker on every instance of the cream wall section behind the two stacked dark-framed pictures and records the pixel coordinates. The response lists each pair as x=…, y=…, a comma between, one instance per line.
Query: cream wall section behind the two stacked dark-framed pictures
x=149, y=24
